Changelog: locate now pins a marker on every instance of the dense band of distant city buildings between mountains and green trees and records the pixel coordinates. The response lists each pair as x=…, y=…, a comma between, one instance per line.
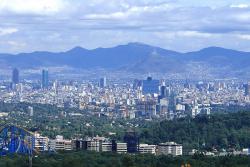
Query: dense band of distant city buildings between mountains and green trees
x=147, y=98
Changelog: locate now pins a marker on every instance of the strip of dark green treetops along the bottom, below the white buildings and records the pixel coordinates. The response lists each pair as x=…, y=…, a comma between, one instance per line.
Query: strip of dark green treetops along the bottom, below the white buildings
x=93, y=159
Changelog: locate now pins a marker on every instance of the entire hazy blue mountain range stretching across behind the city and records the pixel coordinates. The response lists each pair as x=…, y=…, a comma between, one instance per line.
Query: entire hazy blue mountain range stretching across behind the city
x=139, y=58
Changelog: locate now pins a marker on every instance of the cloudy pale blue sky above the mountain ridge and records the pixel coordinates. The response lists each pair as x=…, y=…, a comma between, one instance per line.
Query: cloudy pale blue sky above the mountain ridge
x=180, y=25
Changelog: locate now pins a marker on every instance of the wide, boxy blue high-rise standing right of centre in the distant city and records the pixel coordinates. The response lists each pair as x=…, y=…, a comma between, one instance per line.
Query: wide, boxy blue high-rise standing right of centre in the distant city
x=150, y=86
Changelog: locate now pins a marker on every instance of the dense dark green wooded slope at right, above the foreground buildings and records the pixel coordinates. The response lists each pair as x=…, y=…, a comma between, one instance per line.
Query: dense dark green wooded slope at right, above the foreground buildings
x=219, y=131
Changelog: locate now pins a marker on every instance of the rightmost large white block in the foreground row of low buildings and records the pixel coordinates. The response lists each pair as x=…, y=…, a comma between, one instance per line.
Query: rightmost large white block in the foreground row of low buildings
x=169, y=148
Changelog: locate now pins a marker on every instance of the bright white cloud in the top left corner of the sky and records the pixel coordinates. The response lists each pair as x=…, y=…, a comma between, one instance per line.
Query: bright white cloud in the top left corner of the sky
x=41, y=7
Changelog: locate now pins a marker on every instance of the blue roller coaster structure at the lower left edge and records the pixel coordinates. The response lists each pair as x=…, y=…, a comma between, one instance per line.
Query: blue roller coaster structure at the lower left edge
x=16, y=140
